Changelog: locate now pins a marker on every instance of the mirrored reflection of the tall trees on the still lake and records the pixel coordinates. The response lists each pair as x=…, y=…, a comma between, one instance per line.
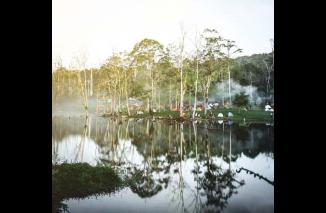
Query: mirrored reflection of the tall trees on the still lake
x=163, y=151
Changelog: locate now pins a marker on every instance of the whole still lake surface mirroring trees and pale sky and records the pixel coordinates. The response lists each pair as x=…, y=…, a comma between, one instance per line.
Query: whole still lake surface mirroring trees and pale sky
x=180, y=166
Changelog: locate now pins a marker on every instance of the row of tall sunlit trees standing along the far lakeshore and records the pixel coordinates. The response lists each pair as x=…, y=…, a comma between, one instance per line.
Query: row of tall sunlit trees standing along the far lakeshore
x=164, y=77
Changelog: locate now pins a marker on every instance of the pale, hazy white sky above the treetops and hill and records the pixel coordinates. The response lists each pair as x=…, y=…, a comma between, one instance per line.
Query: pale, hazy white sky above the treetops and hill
x=99, y=27
